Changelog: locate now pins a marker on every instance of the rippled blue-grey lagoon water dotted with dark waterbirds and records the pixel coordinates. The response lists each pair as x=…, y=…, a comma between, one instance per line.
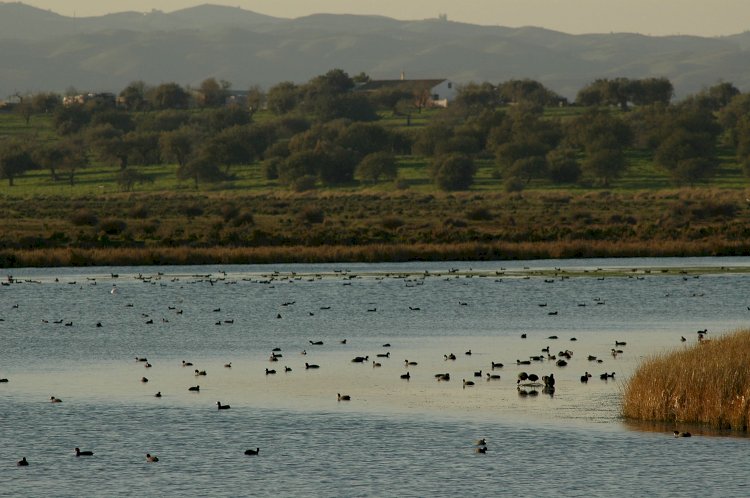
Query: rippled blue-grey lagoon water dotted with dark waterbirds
x=395, y=437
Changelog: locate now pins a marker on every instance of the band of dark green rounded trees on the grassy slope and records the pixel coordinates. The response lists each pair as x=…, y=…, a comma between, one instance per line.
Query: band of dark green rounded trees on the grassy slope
x=326, y=132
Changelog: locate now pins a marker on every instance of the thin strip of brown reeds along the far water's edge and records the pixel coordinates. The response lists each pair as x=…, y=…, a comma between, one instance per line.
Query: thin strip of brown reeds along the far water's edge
x=369, y=253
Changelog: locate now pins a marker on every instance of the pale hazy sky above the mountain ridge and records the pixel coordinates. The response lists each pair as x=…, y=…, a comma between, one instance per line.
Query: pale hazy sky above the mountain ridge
x=655, y=17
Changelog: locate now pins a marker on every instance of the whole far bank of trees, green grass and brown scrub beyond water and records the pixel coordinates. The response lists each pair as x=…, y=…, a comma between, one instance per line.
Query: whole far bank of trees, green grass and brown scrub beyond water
x=321, y=171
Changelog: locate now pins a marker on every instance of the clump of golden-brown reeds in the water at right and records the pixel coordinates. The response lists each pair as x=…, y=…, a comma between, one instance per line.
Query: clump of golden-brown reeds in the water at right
x=708, y=383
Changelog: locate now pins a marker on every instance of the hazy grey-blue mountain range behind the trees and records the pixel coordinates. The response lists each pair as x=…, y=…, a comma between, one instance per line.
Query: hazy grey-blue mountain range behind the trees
x=44, y=51
